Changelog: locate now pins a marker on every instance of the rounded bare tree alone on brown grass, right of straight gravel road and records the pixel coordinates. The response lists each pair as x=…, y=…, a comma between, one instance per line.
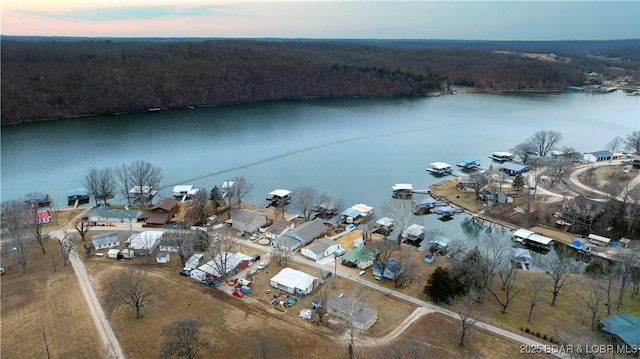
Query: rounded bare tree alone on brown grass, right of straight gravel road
x=131, y=289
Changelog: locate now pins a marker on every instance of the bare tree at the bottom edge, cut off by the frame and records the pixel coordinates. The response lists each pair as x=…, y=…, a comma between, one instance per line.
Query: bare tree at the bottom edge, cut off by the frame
x=182, y=338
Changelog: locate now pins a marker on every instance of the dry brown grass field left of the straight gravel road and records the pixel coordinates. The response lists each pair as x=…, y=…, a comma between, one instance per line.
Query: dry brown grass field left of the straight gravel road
x=43, y=302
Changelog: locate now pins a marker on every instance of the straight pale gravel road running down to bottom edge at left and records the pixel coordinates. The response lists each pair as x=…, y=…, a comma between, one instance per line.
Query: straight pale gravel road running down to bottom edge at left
x=112, y=346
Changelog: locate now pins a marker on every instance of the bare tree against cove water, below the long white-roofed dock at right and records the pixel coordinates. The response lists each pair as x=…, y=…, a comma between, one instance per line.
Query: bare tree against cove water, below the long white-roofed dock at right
x=559, y=268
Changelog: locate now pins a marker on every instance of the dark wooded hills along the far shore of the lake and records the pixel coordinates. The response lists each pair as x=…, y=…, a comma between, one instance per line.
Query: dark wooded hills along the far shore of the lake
x=52, y=78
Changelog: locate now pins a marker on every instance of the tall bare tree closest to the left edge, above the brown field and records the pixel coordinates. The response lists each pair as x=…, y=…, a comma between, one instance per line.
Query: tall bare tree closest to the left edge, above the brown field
x=17, y=226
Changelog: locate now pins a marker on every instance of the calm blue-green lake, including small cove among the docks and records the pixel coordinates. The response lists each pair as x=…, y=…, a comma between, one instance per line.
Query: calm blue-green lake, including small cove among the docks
x=353, y=150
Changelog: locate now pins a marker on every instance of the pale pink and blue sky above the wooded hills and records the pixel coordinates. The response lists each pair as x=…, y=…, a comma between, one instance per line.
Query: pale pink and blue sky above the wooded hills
x=470, y=20
